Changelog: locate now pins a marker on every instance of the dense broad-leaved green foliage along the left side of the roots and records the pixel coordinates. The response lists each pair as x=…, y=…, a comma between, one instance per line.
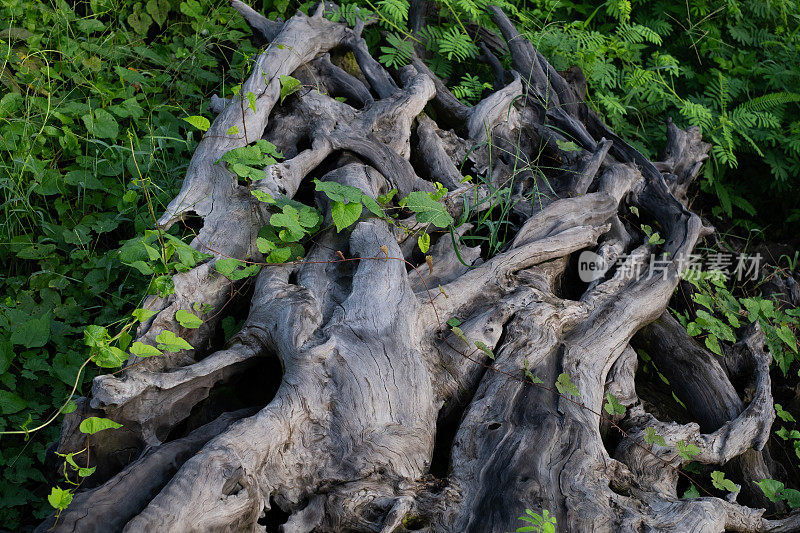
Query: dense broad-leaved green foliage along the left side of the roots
x=92, y=138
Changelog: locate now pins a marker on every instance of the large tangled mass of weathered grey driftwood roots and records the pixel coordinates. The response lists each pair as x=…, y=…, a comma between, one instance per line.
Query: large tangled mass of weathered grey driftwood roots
x=383, y=420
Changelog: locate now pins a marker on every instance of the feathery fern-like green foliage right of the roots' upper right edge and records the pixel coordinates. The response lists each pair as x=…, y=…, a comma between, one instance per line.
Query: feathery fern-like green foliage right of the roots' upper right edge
x=729, y=69
